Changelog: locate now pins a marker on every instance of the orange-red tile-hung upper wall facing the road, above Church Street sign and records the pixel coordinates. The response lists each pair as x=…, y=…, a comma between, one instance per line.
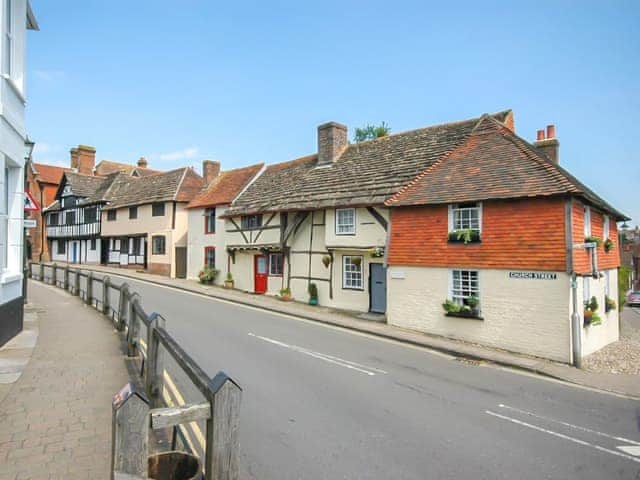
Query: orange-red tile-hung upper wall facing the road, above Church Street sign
x=523, y=234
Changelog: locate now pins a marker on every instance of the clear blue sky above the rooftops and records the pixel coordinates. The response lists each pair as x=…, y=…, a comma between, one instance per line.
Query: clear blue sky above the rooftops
x=247, y=82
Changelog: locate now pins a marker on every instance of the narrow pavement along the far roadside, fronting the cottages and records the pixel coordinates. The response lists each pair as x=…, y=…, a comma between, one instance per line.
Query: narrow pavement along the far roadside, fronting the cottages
x=620, y=383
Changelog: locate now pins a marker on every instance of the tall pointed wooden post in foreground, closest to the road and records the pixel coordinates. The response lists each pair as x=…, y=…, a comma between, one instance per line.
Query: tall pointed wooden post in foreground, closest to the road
x=221, y=462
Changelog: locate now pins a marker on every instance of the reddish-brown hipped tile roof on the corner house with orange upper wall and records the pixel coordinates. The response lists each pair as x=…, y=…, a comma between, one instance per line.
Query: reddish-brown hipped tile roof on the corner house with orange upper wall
x=493, y=163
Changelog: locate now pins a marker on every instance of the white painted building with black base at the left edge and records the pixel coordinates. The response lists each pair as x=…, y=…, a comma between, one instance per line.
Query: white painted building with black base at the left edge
x=15, y=19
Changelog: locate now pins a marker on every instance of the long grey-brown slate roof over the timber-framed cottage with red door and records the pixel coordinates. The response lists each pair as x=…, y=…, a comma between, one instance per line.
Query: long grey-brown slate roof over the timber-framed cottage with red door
x=366, y=173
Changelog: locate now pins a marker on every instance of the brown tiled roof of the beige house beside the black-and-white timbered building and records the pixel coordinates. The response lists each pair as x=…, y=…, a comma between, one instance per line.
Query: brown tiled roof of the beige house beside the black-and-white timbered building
x=180, y=185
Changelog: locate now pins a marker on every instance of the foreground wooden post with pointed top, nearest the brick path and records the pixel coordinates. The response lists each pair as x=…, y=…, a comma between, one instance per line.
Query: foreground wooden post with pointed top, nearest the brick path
x=130, y=433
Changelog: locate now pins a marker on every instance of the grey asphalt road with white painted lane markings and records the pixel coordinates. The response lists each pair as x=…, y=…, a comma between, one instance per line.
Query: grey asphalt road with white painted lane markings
x=325, y=403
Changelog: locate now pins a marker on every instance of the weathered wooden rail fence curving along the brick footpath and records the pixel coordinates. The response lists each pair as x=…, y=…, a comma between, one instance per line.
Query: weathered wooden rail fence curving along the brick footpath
x=221, y=394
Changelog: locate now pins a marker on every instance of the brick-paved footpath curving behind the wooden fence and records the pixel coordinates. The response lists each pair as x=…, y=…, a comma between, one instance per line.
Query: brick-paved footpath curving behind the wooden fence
x=55, y=422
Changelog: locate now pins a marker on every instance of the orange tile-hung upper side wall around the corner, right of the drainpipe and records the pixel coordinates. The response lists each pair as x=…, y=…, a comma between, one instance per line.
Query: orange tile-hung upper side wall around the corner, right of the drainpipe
x=581, y=258
